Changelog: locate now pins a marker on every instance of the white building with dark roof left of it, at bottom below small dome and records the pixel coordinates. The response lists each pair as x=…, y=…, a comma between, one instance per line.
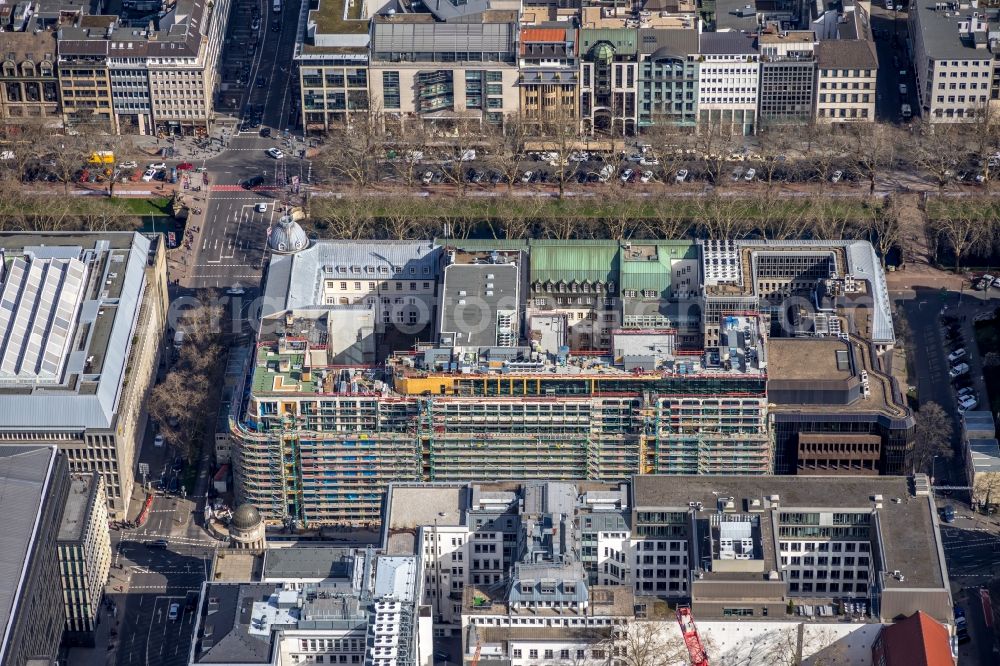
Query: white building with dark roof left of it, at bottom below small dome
x=367, y=612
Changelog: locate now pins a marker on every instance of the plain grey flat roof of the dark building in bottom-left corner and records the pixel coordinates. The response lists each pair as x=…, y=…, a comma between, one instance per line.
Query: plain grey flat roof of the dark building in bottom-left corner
x=25, y=473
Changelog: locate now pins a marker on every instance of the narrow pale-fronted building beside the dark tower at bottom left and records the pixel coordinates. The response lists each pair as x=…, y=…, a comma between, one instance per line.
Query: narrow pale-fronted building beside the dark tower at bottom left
x=84, y=544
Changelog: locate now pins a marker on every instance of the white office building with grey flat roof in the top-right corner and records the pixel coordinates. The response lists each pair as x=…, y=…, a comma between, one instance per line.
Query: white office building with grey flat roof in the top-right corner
x=952, y=53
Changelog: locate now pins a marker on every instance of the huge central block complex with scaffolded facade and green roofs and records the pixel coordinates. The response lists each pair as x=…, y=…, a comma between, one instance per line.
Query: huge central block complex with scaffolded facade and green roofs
x=561, y=360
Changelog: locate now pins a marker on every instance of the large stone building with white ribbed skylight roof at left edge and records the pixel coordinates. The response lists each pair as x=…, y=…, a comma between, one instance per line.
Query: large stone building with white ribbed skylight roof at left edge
x=81, y=319
